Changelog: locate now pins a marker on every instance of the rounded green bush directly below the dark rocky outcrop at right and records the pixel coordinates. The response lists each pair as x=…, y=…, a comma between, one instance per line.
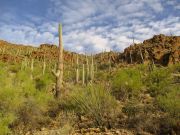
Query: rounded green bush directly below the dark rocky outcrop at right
x=158, y=81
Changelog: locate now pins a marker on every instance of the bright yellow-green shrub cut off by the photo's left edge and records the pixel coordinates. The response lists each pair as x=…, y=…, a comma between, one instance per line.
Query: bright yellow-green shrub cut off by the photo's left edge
x=9, y=102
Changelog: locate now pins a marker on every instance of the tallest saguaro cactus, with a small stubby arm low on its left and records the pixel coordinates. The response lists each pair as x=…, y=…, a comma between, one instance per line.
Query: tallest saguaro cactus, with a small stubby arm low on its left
x=59, y=72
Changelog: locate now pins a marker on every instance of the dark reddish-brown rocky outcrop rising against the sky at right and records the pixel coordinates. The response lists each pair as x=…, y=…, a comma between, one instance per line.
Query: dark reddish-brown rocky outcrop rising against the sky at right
x=160, y=49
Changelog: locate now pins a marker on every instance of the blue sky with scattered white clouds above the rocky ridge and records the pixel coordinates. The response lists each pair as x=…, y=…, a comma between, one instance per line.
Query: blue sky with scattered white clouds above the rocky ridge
x=89, y=26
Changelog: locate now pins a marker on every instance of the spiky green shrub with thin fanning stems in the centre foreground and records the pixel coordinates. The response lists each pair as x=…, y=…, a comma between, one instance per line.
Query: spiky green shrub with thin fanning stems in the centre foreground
x=93, y=102
